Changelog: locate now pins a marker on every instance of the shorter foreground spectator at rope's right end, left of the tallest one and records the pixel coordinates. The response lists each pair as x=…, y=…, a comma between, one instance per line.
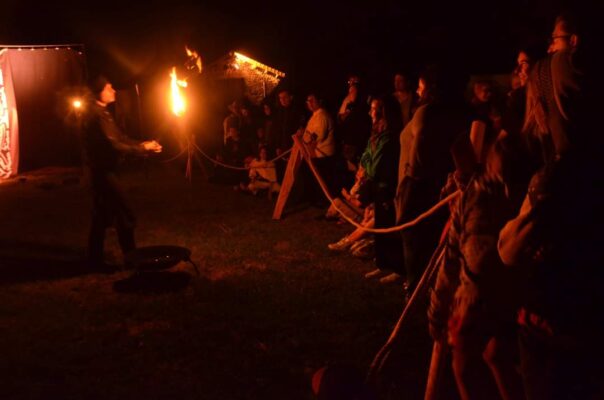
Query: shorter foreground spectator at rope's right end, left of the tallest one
x=475, y=299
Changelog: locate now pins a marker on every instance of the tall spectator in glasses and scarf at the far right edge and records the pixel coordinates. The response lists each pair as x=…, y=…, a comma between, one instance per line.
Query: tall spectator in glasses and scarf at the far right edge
x=556, y=238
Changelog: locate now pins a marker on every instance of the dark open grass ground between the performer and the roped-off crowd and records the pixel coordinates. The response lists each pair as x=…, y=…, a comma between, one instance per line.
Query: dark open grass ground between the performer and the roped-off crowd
x=270, y=306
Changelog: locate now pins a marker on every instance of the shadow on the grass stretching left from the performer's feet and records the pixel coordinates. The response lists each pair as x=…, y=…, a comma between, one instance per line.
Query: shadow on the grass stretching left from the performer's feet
x=22, y=262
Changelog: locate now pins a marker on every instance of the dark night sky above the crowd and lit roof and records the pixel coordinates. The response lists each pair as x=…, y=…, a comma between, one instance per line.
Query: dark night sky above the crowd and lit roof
x=316, y=42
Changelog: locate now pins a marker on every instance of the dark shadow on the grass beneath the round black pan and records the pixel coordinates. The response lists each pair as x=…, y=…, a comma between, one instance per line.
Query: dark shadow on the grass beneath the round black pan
x=153, y=282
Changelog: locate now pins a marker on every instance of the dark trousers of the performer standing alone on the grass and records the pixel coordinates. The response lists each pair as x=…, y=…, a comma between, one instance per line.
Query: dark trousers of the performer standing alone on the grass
x=110, y=208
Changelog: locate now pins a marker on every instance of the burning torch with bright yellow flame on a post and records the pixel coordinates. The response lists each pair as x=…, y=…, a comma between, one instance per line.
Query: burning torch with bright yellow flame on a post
x=179, y=104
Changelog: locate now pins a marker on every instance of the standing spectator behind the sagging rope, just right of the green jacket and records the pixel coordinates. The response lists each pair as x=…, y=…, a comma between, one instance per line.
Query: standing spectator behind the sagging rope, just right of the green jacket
x=425, y=162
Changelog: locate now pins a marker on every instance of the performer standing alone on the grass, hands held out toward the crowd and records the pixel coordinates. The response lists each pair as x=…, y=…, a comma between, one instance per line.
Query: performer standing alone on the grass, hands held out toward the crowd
x=103, y=145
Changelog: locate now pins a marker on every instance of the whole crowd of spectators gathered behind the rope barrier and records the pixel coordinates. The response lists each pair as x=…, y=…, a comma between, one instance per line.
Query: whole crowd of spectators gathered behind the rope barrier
x=517, y=296
